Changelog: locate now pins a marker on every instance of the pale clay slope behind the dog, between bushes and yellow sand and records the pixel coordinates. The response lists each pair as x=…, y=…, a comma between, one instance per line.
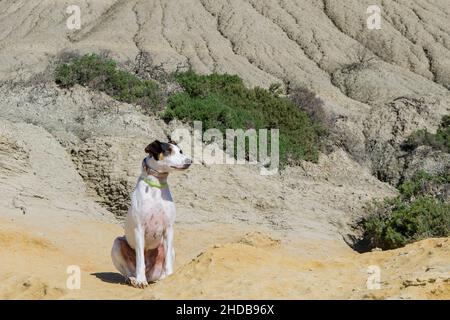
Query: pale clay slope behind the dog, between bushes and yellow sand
x=105, y=140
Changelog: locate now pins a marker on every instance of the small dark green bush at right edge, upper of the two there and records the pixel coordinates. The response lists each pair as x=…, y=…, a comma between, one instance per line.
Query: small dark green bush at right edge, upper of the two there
x=439, y=141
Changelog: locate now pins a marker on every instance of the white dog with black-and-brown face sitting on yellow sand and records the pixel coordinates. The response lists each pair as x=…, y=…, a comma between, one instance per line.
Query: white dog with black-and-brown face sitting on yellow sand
x=146, y=254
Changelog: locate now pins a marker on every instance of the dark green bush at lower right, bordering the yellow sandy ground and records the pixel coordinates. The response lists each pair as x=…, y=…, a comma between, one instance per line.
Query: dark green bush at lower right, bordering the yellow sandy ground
x=414, y=215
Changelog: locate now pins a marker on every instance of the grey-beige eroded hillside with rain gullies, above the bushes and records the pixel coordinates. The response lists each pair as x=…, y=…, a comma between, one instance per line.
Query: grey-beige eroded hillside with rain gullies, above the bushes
x=321, y=44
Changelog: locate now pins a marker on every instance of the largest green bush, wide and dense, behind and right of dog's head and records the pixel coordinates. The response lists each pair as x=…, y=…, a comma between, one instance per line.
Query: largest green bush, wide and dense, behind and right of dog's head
x=223, y=102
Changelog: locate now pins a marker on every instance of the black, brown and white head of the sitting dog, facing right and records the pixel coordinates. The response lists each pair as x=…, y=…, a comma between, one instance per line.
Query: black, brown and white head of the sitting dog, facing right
x=166, y=157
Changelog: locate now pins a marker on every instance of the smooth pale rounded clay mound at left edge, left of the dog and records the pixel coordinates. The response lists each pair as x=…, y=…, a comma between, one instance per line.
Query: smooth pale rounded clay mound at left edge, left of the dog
x=40, y=173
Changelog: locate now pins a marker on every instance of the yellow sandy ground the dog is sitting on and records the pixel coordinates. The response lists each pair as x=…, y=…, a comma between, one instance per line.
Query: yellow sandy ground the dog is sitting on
x=213, y=262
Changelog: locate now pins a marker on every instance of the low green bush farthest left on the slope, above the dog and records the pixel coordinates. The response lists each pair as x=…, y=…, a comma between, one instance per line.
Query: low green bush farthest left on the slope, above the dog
x=101, y=73
